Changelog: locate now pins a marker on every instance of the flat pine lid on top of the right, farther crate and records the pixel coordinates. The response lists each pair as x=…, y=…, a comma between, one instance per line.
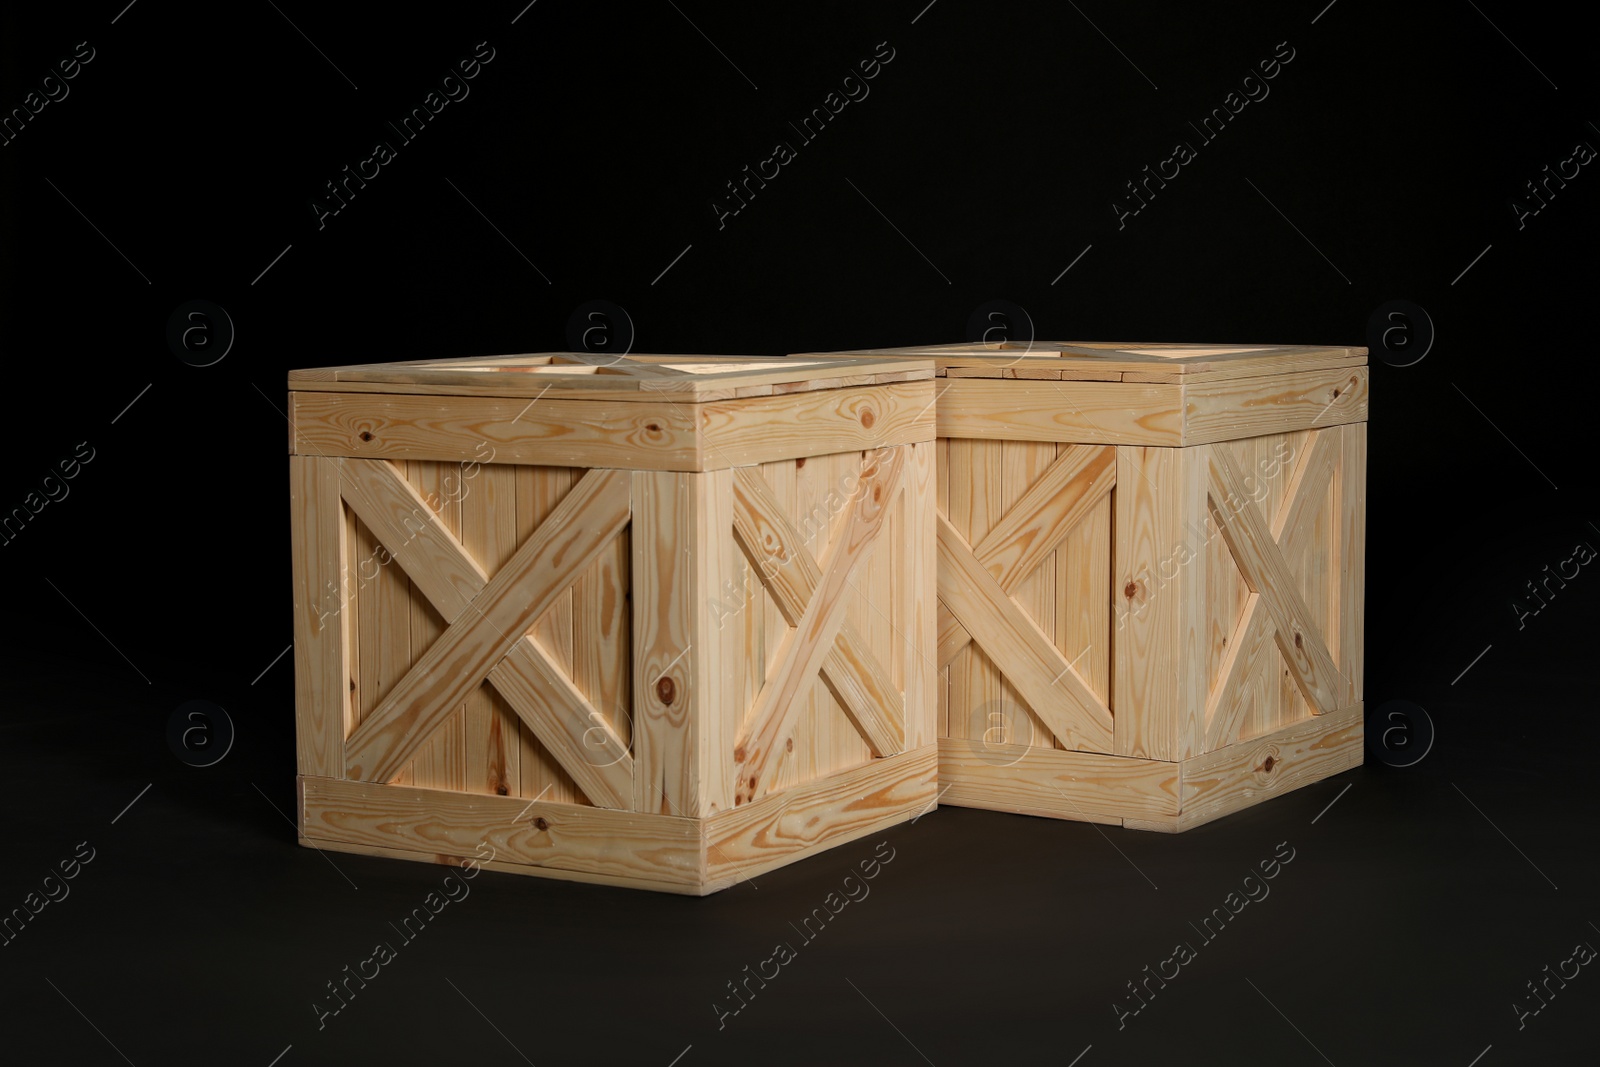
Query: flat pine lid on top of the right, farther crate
x=1129, y=362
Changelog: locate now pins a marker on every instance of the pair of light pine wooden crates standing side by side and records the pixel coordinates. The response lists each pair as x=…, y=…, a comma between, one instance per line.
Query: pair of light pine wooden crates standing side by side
x=674, y=621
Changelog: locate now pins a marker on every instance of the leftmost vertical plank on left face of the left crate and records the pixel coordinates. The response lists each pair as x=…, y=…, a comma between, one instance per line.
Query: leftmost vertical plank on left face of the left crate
x=322, y=642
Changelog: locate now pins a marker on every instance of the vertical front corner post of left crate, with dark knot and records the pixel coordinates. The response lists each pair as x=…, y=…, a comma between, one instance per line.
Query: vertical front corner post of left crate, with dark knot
x=682, y=708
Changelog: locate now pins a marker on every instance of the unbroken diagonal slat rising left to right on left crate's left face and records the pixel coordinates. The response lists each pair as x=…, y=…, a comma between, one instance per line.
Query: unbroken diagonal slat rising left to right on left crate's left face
x=593, y=513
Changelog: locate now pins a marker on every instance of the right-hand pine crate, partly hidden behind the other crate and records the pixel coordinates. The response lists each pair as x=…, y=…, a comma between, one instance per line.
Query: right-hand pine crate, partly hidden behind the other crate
x=1151, y=564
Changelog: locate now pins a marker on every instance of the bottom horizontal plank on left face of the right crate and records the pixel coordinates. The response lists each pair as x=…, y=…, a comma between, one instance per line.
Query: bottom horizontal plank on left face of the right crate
x=1086, y=786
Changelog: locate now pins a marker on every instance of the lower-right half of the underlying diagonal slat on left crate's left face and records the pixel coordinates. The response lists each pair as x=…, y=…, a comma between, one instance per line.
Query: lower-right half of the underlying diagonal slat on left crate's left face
x=585, y=745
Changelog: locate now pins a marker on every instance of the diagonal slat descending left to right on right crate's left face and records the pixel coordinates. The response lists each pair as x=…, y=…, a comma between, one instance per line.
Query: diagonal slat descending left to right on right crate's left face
x=1042, y=676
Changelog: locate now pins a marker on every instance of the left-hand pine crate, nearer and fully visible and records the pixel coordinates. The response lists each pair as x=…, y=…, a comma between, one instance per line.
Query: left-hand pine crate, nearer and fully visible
x=646, y=621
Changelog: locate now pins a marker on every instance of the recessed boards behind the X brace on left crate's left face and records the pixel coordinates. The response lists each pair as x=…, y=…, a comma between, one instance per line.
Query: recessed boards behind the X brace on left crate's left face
x=492, y=511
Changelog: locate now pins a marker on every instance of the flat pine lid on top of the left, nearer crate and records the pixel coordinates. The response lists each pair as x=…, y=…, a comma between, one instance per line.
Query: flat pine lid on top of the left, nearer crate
x=588, y=377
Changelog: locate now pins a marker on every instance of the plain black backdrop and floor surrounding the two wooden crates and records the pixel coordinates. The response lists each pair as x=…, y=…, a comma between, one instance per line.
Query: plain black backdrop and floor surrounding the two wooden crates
x=1382, y=167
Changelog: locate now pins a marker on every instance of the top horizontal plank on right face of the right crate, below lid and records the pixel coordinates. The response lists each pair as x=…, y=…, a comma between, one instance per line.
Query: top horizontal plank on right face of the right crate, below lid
x=1279, y=404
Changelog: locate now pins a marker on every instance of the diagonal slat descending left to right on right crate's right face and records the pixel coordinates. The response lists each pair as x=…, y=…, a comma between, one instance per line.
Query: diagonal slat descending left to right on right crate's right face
x=1262, y=564
